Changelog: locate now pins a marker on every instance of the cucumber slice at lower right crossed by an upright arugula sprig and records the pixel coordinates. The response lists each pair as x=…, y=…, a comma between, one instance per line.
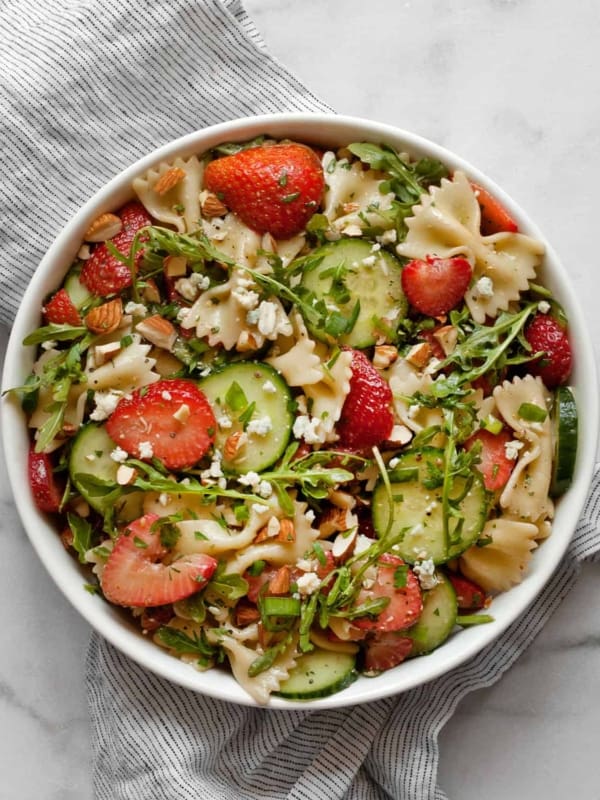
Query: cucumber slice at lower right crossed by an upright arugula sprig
x=418, y=509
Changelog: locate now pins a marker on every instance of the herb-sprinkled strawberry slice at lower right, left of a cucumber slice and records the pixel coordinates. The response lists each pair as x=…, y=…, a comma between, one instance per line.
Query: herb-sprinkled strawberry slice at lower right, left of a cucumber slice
x=406, y=602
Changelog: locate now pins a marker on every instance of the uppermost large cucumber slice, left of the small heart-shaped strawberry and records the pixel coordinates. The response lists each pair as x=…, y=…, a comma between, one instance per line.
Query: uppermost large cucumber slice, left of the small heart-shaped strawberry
x=344, y=275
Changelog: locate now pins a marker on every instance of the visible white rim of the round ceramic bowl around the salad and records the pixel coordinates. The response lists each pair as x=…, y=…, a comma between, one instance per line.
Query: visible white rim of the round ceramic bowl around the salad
x=329, y=131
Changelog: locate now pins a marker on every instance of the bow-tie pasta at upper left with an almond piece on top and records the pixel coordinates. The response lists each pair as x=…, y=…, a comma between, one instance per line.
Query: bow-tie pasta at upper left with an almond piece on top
x=180, y=205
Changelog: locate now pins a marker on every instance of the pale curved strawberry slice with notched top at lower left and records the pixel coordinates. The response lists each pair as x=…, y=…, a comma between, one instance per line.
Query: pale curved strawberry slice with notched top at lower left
x=135, y=575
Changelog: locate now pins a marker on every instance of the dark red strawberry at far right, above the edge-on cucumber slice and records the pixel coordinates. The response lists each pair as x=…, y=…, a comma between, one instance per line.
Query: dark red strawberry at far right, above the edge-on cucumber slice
x=545, y=334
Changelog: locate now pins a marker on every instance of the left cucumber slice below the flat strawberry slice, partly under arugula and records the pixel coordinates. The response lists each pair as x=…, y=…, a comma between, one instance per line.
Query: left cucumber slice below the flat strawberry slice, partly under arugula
x=93, y=440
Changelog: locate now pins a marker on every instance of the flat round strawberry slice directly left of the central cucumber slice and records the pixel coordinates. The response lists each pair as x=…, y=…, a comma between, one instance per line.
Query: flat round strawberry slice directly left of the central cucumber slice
x=171, y=420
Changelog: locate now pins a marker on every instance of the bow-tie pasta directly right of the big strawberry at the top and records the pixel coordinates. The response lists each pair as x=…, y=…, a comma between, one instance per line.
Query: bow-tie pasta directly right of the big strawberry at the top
x=353, y=195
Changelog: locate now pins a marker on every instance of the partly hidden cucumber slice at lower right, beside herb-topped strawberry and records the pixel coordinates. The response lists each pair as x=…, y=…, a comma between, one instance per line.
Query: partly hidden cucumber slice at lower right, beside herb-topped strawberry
x=437, y=619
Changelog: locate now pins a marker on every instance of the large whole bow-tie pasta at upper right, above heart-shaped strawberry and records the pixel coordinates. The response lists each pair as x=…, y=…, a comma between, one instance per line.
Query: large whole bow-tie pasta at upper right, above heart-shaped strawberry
x=446, y=223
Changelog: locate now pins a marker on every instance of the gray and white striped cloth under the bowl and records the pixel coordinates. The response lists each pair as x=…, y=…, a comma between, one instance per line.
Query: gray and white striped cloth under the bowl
x=85, y=89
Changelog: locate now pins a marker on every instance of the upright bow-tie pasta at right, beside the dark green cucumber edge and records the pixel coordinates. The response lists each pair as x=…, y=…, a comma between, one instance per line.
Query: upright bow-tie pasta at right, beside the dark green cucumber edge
x=525, y=496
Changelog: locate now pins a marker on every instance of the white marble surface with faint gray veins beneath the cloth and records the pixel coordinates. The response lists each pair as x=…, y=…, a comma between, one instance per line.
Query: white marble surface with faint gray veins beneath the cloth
x=513, y=86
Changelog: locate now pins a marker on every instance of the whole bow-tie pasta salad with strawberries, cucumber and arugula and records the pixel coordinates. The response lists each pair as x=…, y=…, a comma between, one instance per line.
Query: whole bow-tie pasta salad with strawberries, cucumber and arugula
x=303, y=413
